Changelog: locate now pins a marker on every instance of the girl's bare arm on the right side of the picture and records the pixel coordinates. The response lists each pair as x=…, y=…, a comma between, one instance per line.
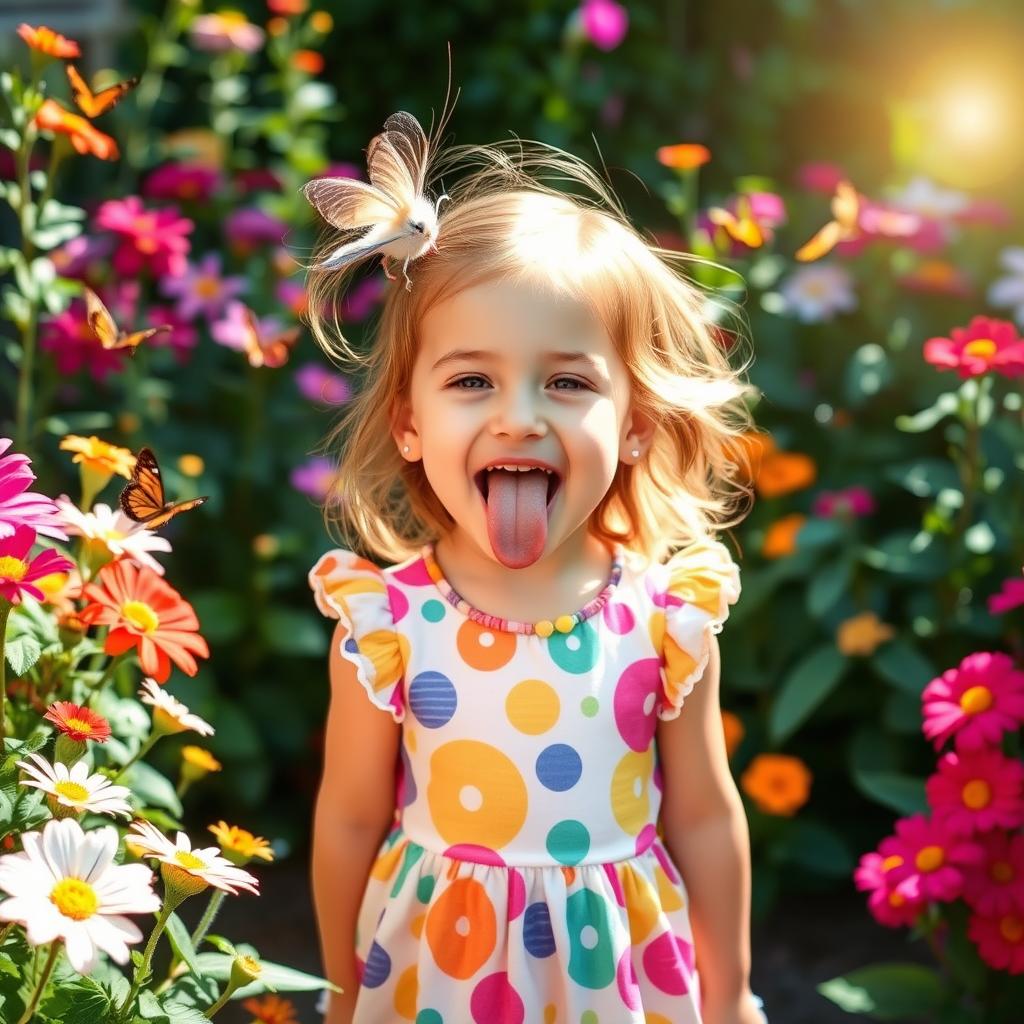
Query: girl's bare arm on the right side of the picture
x=705, y=830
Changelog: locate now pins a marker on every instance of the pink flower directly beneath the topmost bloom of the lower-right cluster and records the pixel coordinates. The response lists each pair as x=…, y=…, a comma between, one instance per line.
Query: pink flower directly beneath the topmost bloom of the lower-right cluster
x=976, y=791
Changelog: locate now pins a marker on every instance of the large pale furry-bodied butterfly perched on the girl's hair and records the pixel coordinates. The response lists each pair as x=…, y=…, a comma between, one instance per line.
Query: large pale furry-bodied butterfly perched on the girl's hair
x=398, y=220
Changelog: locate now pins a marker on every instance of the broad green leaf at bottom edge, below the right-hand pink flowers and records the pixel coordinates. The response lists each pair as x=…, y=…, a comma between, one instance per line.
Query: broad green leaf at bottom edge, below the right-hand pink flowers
x=888, y=992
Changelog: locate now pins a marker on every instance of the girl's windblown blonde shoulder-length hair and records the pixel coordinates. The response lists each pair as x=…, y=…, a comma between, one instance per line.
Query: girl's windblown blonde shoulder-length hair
x=505, y=222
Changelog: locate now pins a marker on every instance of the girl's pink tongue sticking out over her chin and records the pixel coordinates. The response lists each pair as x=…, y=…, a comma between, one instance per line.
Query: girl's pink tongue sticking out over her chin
x=518, y=516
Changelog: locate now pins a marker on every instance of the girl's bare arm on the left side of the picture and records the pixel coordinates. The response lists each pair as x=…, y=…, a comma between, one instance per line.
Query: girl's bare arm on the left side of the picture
x=355, y=810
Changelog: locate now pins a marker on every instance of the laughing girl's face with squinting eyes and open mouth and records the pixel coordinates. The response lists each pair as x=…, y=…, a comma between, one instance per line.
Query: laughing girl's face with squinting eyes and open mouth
x=510, y=371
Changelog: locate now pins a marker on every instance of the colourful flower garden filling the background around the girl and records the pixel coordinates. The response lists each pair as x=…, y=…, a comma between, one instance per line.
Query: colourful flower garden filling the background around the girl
x=163, y=681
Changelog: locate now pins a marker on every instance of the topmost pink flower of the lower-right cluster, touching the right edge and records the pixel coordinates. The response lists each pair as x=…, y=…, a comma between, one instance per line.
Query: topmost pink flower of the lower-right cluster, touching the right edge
x=978, y=702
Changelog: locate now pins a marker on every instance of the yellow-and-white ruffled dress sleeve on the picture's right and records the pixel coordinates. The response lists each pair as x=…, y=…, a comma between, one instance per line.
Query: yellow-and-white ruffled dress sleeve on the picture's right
x=703, y=581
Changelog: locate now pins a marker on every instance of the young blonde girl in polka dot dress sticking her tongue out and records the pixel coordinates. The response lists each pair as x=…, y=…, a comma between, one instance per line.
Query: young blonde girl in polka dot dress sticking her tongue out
x=517, y=825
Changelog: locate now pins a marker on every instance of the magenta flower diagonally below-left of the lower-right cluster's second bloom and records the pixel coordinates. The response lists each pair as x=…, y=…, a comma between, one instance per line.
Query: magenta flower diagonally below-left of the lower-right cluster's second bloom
x=933, y=856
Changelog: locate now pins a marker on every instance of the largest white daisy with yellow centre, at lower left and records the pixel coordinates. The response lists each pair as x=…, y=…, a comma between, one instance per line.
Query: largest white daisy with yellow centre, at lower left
x=65, y=885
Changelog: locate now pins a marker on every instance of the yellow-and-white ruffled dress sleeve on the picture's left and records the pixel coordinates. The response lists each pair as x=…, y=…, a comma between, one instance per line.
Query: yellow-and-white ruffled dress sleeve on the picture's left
x=355, y=591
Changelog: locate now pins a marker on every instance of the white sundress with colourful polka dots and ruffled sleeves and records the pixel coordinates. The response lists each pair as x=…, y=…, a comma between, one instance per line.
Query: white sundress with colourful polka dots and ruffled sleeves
x=525, y=880
